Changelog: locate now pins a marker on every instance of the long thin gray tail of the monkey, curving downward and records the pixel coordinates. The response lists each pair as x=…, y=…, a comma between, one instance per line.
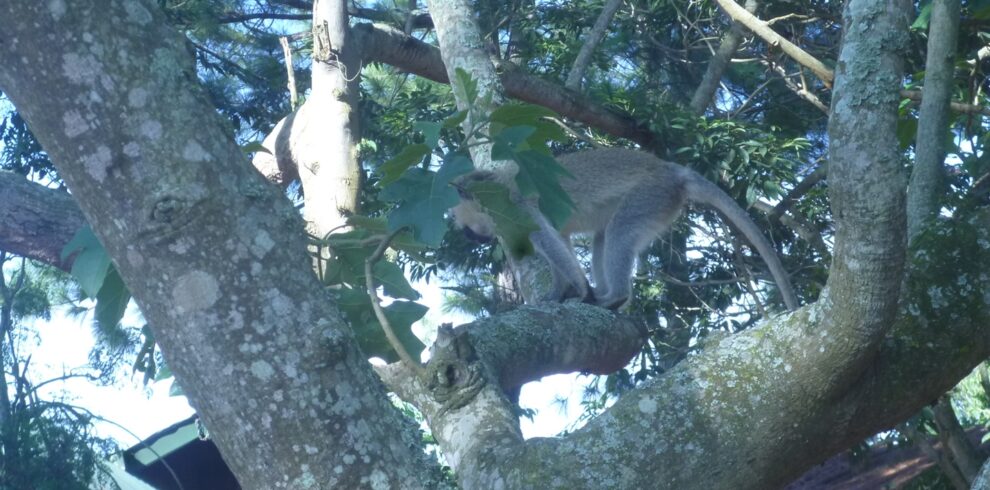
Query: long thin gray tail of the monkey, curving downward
x=701, y=190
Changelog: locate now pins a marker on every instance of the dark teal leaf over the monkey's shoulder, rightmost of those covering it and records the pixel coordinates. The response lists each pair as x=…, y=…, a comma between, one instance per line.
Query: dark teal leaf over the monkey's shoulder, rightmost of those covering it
x=539, y=173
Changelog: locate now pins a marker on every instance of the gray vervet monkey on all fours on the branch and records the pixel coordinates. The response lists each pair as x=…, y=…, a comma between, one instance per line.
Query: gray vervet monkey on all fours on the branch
x=624, y=199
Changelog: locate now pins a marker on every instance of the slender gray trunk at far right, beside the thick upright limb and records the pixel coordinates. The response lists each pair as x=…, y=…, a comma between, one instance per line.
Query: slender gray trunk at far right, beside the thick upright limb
x=933, y=117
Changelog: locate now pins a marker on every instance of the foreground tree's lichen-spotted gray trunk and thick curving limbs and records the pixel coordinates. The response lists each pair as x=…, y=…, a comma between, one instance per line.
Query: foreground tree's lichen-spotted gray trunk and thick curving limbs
x=216, y=259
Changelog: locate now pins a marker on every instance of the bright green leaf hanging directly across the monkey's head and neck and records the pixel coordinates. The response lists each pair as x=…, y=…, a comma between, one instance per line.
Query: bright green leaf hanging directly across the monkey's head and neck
x=512, y=223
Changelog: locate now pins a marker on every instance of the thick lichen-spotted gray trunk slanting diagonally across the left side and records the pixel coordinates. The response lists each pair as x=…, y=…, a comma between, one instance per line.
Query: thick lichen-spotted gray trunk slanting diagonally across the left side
x=215, y=256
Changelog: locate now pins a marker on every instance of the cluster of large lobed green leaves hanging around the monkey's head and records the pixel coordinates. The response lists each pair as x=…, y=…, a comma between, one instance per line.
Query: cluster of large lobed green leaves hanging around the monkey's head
x=420, y=197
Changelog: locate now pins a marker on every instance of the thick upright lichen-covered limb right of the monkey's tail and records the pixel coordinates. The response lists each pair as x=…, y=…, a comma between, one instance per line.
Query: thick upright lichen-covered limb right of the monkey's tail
x=866, y=187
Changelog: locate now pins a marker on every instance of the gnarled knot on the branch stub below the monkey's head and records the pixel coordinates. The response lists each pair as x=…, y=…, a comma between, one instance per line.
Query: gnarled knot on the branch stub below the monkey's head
x=454, y=374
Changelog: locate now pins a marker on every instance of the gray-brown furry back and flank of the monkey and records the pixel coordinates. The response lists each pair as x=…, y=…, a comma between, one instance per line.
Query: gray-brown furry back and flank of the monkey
x=604, y=178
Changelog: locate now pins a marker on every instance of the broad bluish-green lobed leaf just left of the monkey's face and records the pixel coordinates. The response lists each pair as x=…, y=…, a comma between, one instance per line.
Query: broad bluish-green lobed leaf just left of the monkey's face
x=423, y=197
